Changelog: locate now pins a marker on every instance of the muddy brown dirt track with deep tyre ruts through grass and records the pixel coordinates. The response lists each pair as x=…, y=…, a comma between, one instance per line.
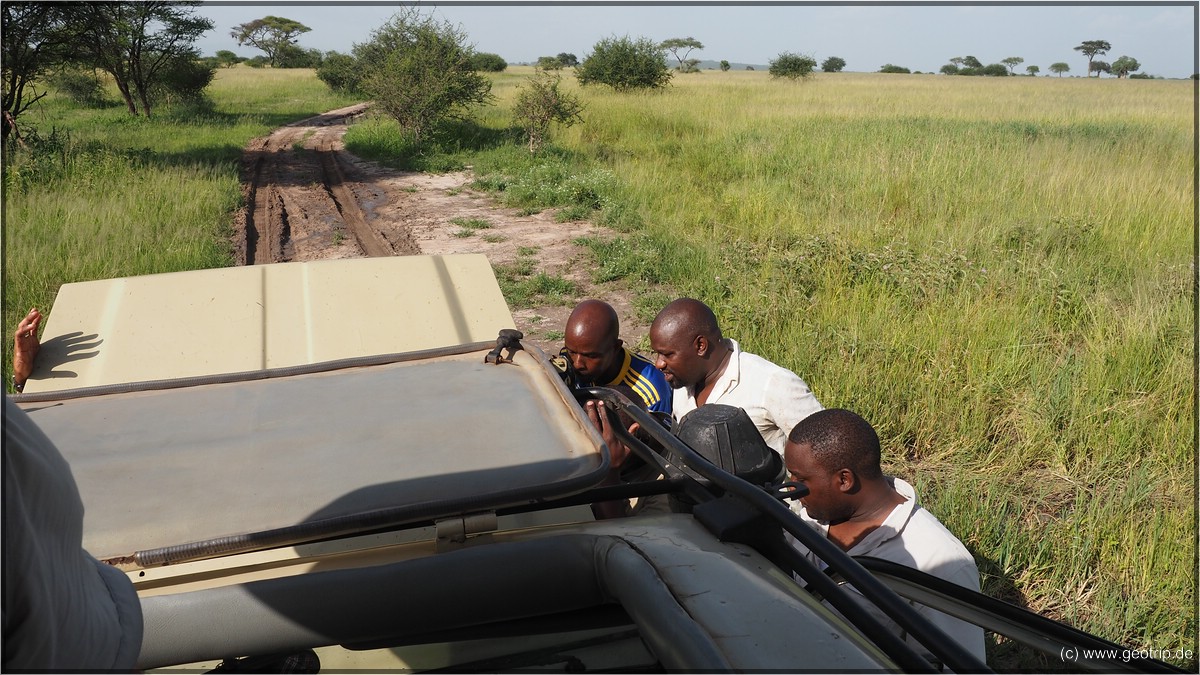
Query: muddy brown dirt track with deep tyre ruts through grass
x=309, y=200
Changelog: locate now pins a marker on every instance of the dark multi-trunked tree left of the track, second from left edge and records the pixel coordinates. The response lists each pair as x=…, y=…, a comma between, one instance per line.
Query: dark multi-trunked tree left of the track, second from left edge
x=122, y=40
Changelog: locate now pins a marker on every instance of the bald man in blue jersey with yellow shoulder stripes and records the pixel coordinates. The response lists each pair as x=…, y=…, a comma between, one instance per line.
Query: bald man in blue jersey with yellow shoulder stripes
x=599, y=359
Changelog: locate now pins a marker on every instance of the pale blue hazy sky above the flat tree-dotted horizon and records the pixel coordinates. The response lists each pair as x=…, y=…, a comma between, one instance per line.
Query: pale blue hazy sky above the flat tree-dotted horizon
x=921, y=38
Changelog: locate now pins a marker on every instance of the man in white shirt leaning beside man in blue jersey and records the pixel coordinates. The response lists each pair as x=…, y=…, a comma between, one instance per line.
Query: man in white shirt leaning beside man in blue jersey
x=704, y=367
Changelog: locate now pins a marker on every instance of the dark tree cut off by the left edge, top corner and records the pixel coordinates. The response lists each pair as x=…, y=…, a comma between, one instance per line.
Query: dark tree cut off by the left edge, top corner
x=37, y=38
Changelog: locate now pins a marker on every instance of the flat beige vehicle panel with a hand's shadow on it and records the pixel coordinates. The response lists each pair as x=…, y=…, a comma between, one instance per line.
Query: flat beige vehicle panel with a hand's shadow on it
x=233, y=320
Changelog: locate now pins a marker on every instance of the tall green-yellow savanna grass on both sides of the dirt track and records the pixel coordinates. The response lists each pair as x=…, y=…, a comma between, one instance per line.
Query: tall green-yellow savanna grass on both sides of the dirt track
x=998, y=273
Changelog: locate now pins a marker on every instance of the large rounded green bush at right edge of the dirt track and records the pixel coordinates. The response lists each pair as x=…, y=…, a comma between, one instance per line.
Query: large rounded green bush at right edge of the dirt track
x=421, y=73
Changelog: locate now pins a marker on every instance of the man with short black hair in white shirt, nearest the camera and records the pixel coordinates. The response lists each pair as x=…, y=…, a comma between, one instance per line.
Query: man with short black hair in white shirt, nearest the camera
x=836, y=455
